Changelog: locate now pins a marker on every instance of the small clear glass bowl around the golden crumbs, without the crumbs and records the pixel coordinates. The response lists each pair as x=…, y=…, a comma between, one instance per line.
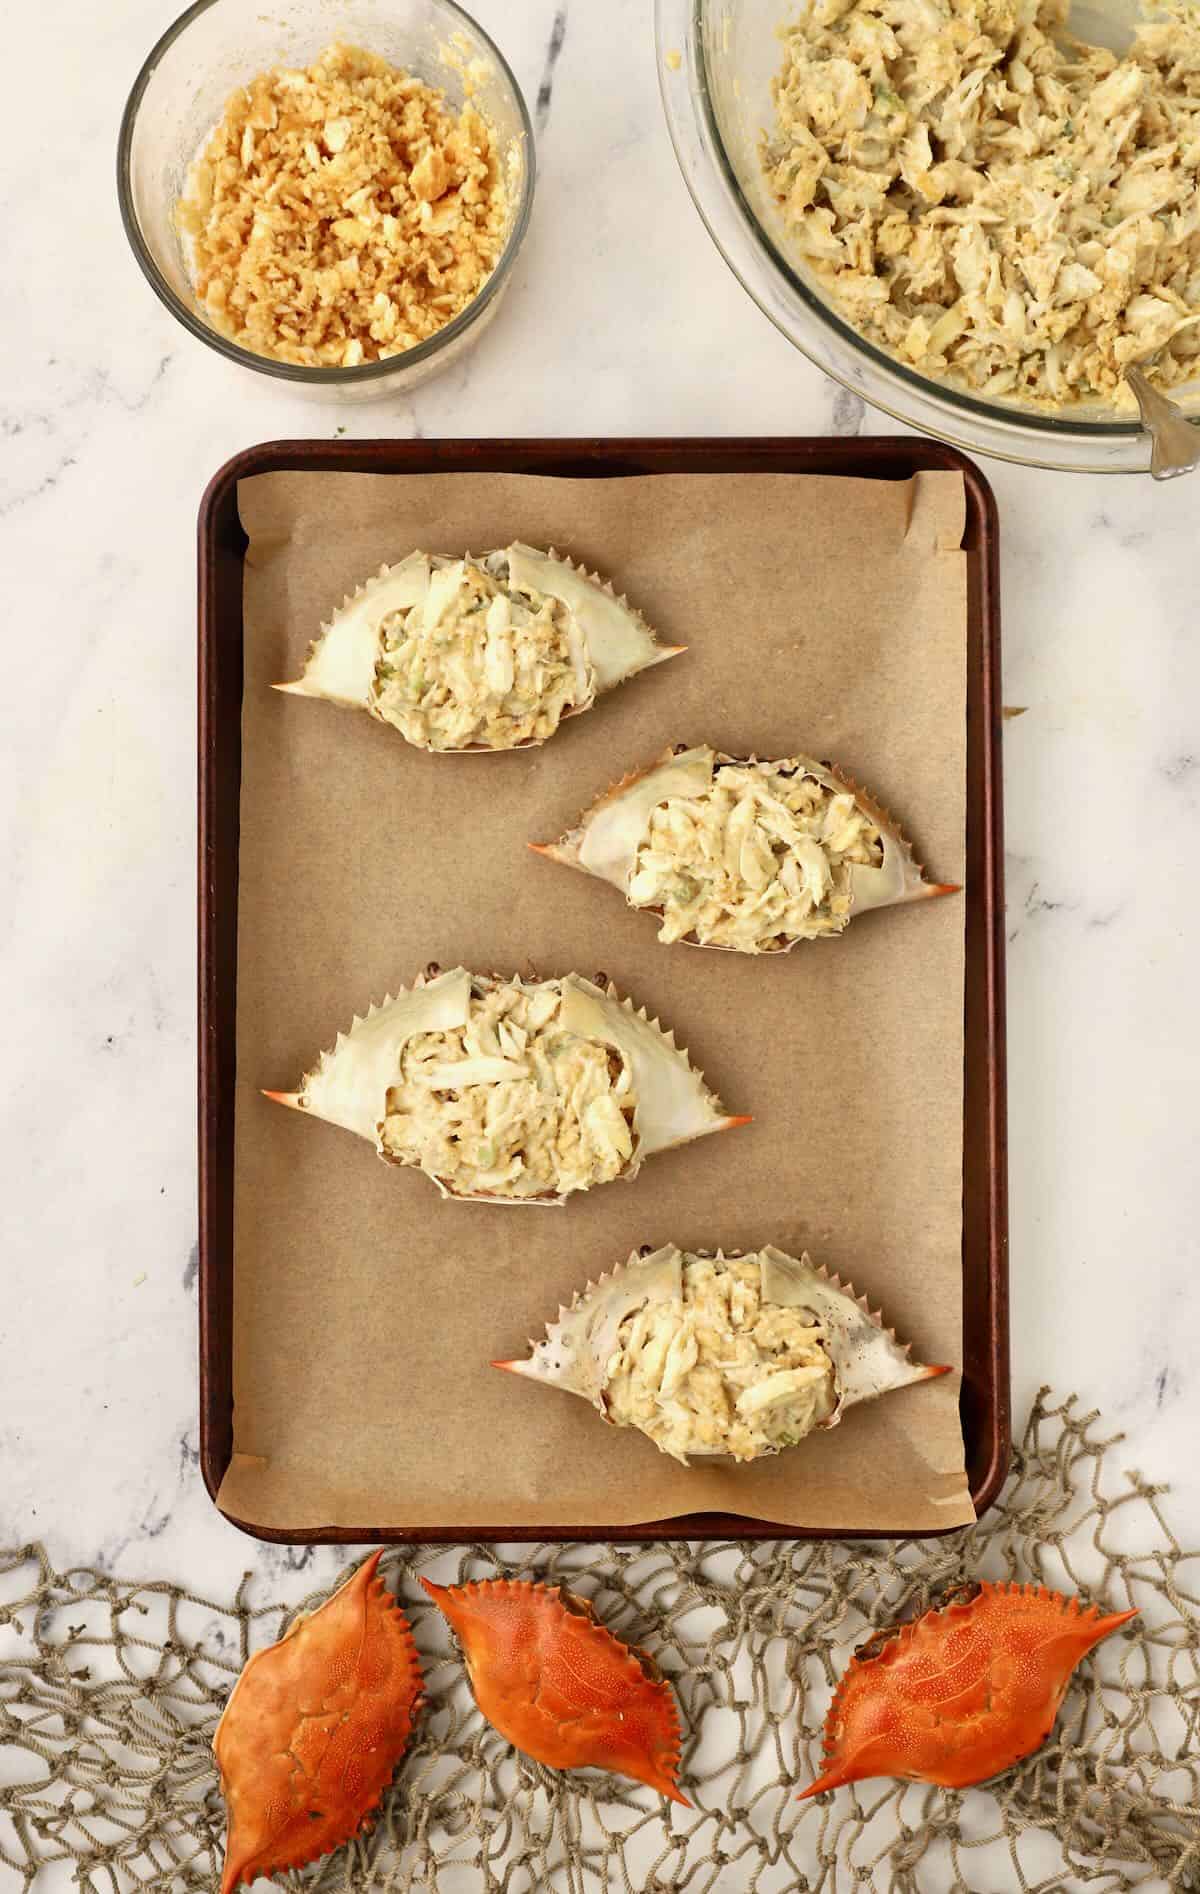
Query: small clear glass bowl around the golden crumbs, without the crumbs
x=221, y=45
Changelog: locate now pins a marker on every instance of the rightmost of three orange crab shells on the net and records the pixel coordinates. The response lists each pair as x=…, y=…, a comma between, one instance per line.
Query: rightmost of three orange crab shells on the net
x=962, y=1692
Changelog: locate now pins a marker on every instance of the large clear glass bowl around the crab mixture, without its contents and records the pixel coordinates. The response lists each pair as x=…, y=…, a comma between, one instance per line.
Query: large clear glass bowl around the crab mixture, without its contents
x=716, y=63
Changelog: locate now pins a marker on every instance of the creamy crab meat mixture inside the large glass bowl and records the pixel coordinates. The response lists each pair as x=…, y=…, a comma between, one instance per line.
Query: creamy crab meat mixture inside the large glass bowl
x=993, y=200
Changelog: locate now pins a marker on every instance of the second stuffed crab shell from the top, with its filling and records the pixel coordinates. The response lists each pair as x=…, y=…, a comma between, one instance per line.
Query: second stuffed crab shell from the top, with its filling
x=745, y=855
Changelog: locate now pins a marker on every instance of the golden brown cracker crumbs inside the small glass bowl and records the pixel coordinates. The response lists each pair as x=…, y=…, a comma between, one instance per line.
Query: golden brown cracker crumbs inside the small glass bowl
x=344, y=213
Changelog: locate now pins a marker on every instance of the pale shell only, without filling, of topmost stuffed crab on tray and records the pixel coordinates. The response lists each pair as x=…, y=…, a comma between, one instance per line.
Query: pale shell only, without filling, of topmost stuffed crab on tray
x=612, y=635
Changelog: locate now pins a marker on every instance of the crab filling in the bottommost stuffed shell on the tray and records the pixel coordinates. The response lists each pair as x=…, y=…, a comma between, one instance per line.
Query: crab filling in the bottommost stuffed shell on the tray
x=720, y=1372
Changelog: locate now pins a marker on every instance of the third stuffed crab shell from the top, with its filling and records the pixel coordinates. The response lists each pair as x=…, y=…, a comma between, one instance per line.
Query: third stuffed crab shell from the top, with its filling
x=512, y=1090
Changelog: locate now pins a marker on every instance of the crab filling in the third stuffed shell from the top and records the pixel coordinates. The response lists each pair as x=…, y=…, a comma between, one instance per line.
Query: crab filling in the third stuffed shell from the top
x=512, y=1105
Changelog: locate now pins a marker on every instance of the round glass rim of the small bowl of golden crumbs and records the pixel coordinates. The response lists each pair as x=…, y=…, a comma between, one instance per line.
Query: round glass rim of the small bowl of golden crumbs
x=300, y=372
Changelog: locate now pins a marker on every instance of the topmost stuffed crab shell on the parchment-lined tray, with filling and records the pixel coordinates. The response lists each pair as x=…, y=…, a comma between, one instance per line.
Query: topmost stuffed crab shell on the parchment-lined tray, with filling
x=478, y=654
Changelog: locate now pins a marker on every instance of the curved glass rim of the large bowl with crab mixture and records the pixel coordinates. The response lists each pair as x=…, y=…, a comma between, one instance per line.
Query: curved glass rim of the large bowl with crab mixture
x=906, y=395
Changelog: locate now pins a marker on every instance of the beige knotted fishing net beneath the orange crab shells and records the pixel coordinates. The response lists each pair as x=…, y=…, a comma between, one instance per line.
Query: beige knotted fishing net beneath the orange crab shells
x=111, y=1692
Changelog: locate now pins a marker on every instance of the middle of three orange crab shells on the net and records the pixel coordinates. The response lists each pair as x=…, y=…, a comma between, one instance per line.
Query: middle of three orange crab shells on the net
x=559, y=1687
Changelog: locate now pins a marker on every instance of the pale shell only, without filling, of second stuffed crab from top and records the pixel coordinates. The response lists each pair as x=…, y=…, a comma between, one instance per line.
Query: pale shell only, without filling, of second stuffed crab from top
x=607, y=840
